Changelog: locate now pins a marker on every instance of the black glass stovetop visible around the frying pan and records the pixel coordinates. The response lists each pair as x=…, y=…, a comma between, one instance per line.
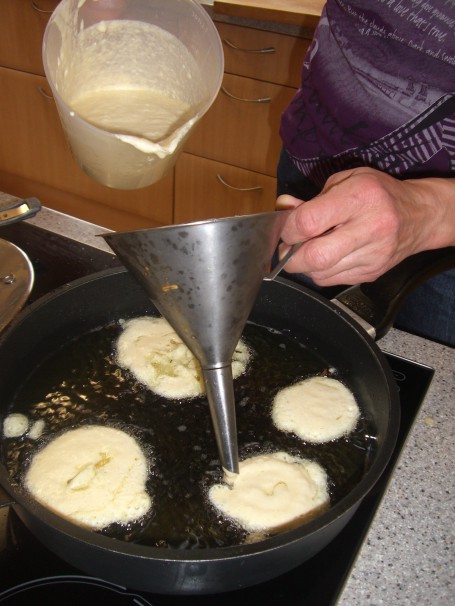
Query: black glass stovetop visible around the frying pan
x=29, y=572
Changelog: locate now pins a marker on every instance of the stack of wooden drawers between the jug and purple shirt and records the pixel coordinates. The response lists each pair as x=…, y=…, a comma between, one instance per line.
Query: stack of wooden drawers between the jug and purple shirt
x=239, y=135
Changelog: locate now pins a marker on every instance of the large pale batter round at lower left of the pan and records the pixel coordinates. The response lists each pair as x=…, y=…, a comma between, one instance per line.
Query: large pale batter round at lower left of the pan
x=93, y=476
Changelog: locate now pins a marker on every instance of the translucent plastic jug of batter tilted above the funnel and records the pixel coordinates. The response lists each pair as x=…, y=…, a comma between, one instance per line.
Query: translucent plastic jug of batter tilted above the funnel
x=130, y=80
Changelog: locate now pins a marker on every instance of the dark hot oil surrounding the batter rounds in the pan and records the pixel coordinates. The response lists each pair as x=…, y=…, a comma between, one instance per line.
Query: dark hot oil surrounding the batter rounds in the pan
x=177, y=436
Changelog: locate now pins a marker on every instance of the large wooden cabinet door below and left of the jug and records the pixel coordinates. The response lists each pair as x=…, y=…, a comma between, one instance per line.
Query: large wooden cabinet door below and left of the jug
x=34, y=148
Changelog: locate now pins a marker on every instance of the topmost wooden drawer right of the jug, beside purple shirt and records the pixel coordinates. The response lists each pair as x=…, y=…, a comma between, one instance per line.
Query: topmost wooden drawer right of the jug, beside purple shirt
x=262, y=55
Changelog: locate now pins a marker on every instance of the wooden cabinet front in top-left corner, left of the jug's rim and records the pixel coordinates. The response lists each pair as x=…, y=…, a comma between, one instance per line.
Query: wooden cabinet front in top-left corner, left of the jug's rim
x=22, y=25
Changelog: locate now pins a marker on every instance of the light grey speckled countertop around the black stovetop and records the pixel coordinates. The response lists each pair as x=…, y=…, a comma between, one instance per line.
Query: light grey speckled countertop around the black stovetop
x=408, y=555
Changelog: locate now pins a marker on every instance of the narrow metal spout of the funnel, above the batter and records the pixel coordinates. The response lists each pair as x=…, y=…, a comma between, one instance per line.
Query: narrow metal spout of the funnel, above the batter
x=220, y=394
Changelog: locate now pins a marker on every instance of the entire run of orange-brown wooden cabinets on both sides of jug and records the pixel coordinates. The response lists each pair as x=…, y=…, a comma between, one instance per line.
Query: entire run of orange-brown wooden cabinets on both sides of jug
x=230, y=159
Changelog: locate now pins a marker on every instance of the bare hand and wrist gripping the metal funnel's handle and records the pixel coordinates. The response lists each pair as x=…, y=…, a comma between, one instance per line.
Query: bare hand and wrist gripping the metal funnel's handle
x=364, y=222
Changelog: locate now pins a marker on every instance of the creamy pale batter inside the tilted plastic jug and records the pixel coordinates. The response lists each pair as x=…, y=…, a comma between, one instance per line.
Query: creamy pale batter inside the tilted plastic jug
x=126, y=77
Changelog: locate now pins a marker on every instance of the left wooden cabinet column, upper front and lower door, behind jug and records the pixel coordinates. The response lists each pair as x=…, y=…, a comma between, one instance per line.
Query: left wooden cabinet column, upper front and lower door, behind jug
x=34, y=156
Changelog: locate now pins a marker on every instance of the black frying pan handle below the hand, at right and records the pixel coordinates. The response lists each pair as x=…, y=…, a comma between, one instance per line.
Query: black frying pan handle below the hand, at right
x=377, y=303
